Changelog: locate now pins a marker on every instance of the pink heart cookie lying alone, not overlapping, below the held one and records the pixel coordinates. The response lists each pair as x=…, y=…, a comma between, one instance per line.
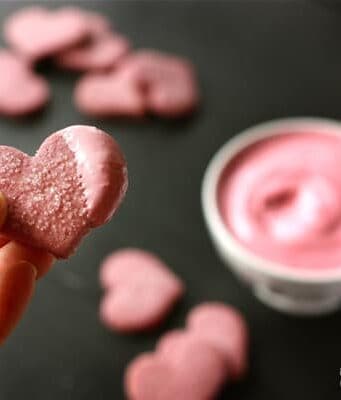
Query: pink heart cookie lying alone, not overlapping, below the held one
x=140, y=290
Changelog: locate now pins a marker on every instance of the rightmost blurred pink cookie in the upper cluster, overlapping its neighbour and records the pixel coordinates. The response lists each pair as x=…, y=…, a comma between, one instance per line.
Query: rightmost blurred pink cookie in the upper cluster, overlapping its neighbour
x=168, y=82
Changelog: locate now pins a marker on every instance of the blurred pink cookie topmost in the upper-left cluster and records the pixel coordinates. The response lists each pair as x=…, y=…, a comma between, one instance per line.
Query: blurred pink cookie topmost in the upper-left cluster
x=36, y=32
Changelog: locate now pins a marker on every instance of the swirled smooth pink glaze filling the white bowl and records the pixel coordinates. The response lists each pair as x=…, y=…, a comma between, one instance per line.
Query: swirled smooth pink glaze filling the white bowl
x=281, y=198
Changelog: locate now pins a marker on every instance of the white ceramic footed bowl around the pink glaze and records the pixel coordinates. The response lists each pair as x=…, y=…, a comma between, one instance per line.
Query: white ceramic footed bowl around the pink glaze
x=285, y=288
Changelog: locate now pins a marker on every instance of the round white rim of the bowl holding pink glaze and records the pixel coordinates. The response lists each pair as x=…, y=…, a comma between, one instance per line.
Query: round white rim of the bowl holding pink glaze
x=212, y=216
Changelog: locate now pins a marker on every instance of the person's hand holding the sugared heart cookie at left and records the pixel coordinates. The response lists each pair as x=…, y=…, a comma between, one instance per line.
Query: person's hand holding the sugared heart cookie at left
x=20, y=267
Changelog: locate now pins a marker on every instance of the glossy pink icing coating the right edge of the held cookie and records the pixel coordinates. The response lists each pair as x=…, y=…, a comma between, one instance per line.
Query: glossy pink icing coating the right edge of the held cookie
x=102, y=168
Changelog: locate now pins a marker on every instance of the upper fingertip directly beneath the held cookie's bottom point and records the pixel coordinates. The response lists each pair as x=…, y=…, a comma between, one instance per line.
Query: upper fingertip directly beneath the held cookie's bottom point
x=14, y=252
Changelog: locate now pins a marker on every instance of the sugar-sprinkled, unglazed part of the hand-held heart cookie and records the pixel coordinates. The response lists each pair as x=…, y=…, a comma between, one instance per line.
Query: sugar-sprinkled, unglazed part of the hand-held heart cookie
x=49, y=187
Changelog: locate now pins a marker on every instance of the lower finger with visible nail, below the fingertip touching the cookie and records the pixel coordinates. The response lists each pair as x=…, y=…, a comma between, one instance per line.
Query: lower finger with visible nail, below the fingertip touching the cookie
x=16, y=287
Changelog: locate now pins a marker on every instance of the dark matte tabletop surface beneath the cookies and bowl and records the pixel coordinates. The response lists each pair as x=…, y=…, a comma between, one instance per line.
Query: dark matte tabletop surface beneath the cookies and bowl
x=256, y=60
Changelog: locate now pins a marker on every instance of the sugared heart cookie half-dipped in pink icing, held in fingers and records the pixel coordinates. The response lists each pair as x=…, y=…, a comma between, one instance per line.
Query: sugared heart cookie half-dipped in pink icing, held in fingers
x=75, y=182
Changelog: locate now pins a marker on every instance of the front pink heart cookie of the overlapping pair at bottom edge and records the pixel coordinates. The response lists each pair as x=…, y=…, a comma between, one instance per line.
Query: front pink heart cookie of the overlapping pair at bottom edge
x=193, y=370
